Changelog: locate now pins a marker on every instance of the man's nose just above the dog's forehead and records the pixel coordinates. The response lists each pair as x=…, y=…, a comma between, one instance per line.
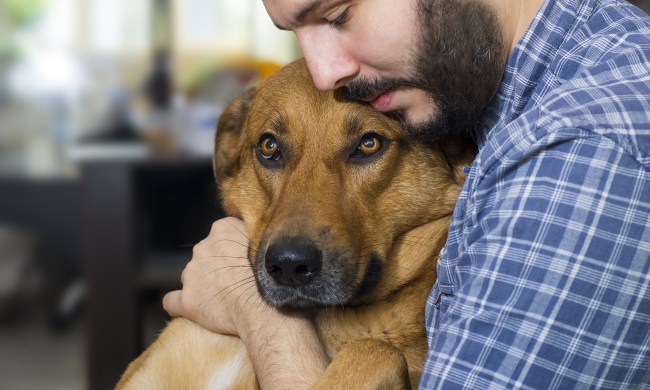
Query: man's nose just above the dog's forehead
x=330, y=63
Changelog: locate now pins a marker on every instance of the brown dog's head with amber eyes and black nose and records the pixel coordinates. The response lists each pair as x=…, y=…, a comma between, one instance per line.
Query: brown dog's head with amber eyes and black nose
x=326, y=187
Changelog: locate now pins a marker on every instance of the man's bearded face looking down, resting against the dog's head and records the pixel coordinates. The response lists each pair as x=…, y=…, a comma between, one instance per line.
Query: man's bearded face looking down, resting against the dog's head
x=433, y=64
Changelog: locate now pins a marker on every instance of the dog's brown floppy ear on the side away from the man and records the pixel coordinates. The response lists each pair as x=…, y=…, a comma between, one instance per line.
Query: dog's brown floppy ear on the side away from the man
x=229, y=130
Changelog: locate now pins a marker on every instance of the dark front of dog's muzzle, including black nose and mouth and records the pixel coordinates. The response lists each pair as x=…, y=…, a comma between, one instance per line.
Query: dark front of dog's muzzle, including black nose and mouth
x=296, y=273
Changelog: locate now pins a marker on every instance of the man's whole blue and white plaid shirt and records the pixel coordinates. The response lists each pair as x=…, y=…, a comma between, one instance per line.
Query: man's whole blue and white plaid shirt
x=545, y=279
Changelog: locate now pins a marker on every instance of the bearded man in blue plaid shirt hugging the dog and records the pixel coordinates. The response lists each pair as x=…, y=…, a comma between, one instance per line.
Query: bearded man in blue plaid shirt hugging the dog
x=545, y=278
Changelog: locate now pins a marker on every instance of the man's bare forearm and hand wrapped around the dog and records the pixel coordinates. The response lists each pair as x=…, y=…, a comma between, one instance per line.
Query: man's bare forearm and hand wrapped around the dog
x=220, y=294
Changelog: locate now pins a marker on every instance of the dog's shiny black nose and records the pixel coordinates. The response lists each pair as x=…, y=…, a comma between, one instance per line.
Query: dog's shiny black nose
x=293, y=262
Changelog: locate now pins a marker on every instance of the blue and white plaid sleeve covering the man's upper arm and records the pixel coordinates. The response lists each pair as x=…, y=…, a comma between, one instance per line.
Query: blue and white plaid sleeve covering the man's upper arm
x=552, y=277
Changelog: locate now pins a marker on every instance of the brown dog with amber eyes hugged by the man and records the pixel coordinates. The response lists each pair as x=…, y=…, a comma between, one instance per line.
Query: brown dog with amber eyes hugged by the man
x=346, y=215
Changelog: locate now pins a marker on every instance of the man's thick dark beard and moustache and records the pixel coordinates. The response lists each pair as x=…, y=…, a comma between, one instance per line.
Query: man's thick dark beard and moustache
x=459, y=60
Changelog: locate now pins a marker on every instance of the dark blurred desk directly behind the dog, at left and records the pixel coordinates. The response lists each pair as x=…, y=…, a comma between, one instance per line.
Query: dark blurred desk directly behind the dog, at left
x=140, y=218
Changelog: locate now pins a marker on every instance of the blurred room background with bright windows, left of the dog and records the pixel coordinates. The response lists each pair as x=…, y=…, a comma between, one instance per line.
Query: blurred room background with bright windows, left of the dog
x=107, y=114
